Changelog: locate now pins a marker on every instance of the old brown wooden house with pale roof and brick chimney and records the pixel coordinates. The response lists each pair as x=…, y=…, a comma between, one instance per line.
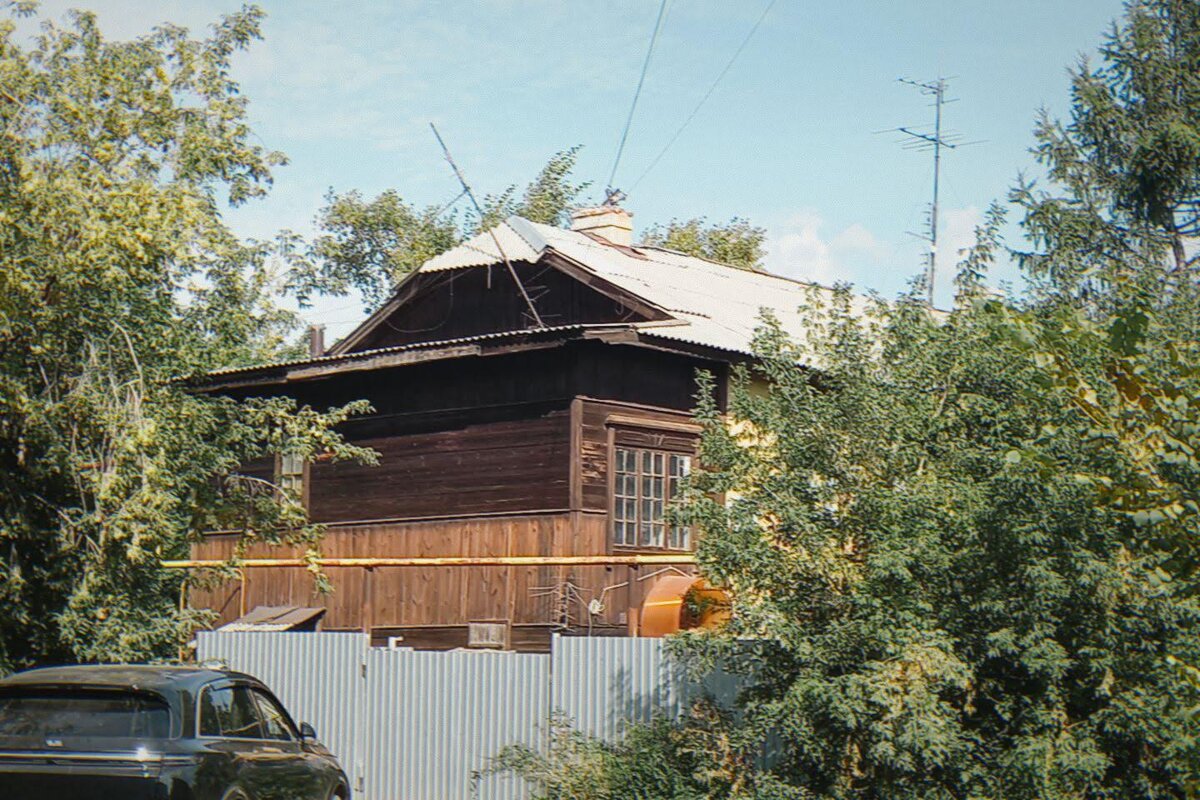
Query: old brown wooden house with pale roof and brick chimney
x=532, y=393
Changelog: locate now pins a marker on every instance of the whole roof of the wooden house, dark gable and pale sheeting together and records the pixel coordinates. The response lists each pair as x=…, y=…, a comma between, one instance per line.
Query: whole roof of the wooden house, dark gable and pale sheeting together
x=587, y=288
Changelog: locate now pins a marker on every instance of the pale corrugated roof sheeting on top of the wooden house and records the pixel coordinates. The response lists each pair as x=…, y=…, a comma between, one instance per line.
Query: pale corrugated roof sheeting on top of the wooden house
x=719, y=306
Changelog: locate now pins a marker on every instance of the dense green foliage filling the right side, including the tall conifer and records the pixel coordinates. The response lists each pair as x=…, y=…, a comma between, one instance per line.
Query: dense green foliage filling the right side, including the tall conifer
x=965, y=550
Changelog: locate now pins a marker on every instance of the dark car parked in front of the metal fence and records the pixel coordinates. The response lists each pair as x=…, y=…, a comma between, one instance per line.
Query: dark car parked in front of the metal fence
x=155, y=733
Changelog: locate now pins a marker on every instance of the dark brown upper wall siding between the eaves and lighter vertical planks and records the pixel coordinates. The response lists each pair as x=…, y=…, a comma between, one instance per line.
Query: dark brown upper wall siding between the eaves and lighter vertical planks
x=488, y=435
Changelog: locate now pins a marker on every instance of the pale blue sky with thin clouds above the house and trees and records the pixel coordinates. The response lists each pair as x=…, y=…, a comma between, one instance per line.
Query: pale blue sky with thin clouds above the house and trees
x=347, y=92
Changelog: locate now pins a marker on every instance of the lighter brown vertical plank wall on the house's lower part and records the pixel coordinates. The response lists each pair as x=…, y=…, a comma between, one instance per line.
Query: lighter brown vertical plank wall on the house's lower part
x=440, y=597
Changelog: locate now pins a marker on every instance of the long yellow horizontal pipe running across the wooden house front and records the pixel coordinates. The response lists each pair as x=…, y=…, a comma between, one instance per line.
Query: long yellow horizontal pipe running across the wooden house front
x=499, y=561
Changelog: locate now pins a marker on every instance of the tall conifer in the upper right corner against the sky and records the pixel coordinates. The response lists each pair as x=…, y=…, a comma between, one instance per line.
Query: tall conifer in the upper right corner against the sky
x=1126, y=167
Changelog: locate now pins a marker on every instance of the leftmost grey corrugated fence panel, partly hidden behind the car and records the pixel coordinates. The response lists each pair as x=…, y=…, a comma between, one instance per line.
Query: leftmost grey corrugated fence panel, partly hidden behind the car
x=319, y=677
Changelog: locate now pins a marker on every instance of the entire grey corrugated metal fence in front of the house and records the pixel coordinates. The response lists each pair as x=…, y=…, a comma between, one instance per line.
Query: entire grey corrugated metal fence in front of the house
x=415, y=725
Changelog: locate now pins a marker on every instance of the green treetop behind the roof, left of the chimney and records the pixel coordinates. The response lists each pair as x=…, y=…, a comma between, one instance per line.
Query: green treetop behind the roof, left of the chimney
x=370, y=245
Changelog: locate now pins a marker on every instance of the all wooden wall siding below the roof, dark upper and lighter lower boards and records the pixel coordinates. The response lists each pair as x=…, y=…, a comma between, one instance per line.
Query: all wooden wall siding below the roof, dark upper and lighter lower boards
x=506, y=455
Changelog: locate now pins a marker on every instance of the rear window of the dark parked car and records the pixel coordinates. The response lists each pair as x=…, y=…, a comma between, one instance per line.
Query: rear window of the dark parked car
x=56, y=714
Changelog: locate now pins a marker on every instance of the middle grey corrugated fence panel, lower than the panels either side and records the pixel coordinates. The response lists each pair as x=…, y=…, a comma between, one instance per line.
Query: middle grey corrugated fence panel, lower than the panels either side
x=436, y=718
